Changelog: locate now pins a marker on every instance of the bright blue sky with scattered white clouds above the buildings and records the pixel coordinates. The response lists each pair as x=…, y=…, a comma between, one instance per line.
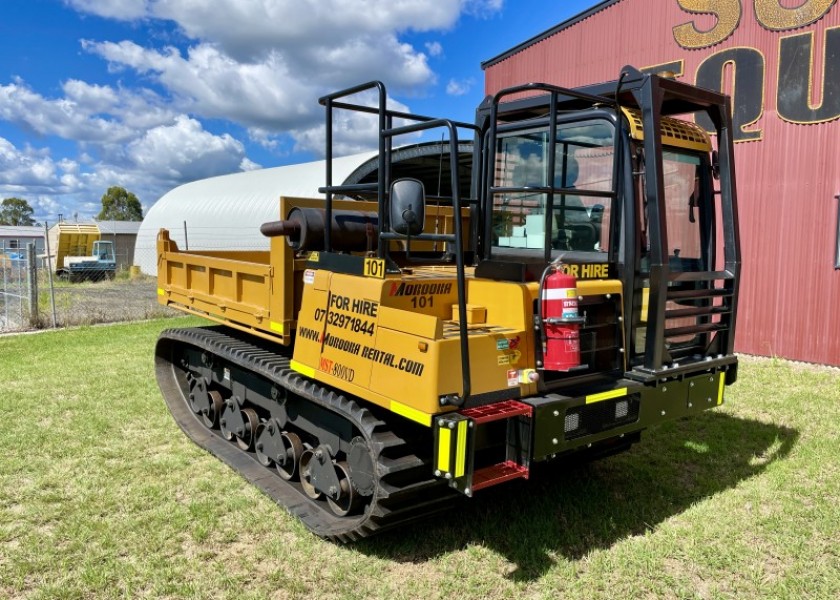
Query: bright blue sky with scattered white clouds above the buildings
x=150, y=94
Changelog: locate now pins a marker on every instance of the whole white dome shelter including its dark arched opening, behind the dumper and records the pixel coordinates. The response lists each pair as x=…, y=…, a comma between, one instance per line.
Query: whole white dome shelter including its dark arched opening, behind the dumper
x=225, y=213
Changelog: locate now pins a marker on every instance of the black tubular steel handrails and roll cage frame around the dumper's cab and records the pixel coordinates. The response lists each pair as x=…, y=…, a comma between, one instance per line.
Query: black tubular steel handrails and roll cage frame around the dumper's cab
x=655, y=97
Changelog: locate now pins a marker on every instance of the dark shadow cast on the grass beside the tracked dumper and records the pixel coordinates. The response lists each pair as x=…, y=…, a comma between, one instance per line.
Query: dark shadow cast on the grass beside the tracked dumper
x=572, y=510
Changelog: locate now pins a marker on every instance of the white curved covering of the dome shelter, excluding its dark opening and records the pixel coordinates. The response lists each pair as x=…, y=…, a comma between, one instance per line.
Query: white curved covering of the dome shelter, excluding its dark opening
x=225, y=212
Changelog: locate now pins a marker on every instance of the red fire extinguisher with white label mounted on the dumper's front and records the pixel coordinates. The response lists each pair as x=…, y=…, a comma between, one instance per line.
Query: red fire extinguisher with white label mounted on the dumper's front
x=561, y=323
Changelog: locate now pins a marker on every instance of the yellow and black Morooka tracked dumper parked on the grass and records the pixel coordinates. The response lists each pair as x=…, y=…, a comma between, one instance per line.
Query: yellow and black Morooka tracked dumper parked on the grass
x=393, y=352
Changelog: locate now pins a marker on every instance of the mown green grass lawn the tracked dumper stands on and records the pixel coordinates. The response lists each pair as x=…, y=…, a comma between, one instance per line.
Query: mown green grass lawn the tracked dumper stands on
x=102, y=496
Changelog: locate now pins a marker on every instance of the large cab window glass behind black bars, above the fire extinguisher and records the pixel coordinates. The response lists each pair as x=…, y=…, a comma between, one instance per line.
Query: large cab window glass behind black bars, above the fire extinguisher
x=580, y=212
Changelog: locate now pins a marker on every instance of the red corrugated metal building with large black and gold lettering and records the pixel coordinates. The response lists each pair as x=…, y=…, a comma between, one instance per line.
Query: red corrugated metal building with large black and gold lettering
x=780, y=61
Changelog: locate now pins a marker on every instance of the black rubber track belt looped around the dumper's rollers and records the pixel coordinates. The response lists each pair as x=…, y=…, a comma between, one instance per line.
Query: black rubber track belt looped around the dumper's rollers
x=405, y=489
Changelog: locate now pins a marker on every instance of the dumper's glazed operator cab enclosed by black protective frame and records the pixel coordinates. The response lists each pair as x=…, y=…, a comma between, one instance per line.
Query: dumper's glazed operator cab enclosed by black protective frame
x=616, y=183
